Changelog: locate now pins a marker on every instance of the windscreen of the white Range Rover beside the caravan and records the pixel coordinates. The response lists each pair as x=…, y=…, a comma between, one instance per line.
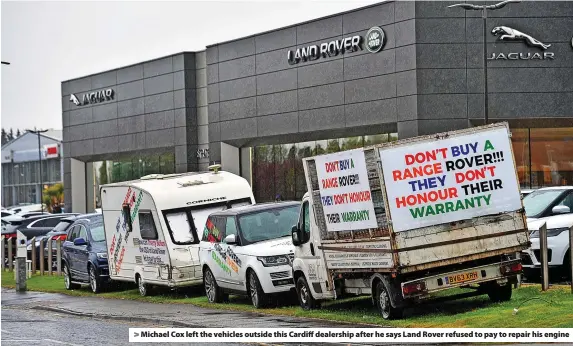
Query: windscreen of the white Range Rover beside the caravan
x=268, y=224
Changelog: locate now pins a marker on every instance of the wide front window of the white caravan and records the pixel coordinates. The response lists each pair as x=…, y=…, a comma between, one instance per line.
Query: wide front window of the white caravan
x=184, y=232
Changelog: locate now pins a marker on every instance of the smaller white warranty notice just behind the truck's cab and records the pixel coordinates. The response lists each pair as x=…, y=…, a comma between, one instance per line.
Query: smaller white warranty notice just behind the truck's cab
x=345, y=191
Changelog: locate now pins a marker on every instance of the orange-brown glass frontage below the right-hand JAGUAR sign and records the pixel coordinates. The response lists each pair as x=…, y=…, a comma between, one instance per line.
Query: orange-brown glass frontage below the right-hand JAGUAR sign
x=543, y=156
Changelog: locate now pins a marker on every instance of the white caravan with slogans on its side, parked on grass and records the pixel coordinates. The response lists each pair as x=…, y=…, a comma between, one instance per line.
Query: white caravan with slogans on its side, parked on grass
x=153, y=225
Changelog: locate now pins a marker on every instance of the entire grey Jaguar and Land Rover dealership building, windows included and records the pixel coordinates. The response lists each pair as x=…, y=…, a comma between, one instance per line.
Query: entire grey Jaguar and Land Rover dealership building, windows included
x=260, y=104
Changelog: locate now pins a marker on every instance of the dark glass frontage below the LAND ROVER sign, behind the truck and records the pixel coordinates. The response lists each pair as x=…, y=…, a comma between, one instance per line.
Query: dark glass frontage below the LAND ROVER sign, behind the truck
x=277, y=169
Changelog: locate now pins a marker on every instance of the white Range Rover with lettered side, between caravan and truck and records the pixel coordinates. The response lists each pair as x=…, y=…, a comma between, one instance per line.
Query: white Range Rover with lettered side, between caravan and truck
x=248, y=250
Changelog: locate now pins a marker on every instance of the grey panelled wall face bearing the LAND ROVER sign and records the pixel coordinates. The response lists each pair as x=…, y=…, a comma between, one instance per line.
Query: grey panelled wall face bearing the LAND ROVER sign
x=256, y=97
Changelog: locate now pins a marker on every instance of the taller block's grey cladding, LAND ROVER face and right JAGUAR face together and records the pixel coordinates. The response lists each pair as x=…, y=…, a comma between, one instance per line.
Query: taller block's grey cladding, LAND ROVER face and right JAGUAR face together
x=428, y=77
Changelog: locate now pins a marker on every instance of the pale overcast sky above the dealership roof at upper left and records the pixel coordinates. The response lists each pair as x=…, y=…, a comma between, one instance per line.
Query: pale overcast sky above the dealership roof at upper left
x=49, y=42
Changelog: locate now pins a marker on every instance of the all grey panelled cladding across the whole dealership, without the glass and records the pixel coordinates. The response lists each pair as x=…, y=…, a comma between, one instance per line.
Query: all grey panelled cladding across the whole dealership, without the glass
x=428, y=78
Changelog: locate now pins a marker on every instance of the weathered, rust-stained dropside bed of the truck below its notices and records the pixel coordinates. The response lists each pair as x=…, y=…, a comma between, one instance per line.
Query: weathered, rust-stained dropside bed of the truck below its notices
x=381, y=249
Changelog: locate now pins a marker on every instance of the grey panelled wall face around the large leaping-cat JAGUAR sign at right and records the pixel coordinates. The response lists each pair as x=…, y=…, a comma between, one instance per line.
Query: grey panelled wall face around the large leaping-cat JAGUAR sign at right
x=449, y=66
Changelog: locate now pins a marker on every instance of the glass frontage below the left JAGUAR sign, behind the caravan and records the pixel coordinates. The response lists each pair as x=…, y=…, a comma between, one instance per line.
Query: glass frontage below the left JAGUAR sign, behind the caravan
x=135, y=167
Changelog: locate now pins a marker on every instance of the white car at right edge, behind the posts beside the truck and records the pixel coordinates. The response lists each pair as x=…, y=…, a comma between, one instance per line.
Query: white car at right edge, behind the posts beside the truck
x=553, y=206
